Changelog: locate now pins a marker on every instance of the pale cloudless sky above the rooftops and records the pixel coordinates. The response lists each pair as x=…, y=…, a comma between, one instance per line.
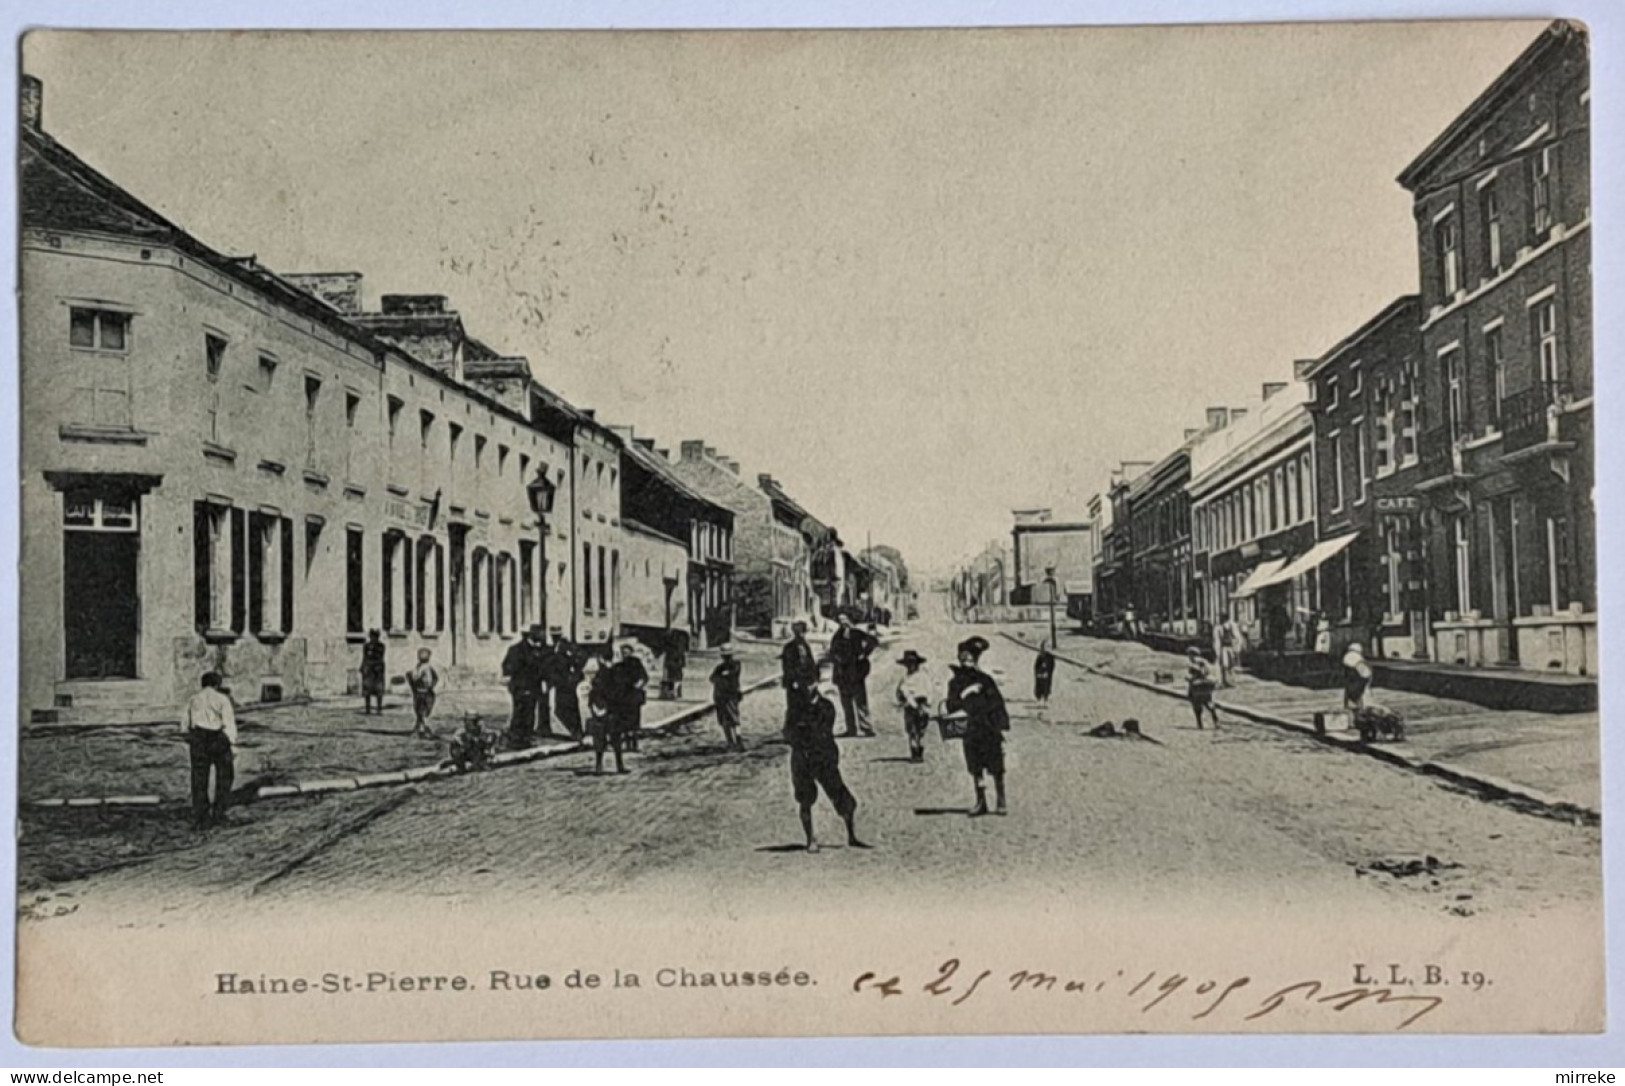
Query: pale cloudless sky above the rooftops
x=921, y=277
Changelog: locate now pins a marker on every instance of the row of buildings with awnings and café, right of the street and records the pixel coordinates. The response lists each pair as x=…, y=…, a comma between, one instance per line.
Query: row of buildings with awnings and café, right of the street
x=1426, y=485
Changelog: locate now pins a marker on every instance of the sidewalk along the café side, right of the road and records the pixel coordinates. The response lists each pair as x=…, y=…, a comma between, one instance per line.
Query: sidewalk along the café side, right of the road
x=1558, y=755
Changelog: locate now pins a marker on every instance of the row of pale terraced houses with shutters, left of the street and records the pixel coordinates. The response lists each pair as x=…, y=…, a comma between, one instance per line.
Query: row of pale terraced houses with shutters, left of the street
x=243, y=471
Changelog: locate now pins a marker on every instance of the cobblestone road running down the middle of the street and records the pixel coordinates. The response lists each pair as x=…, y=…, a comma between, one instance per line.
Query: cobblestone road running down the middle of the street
x=1244, y=814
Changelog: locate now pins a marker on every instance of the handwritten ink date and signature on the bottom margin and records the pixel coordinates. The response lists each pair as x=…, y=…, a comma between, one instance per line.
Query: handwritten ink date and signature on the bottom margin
x=1172, y=993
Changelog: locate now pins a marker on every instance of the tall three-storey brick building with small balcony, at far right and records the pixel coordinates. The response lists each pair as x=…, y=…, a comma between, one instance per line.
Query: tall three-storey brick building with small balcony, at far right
x=1506, y=448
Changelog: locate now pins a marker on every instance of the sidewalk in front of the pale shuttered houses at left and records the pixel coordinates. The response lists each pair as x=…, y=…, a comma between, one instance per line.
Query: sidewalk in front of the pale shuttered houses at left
x=279, y=745
